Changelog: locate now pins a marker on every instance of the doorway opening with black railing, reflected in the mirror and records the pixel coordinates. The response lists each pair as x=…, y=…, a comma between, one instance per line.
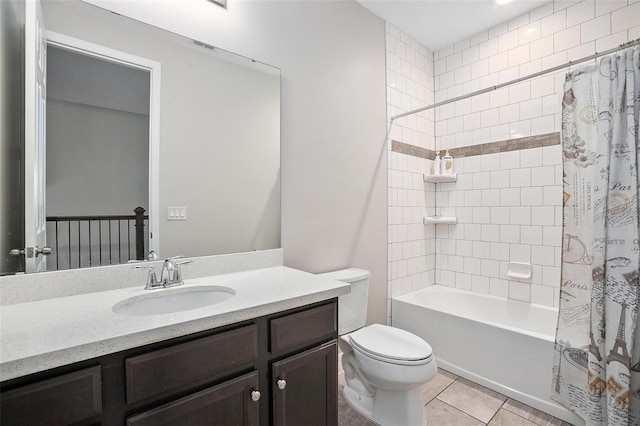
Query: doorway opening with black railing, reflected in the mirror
x=97, y=159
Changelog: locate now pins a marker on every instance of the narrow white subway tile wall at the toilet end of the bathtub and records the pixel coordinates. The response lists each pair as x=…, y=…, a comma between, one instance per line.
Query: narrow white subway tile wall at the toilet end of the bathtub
x=411, y=244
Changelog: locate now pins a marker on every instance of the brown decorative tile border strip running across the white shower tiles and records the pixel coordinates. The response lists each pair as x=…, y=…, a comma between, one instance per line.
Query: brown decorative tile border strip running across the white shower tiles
x=538, y=141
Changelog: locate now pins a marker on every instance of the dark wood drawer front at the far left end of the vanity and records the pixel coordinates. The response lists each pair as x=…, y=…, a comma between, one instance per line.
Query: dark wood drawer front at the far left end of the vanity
x=62, y=400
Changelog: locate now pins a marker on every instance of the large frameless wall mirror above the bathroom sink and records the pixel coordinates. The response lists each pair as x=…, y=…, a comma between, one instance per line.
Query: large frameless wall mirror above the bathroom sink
x=140, y=117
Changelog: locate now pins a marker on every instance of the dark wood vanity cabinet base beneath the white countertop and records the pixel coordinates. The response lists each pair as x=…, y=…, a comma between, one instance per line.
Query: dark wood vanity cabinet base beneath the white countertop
x=224, y=376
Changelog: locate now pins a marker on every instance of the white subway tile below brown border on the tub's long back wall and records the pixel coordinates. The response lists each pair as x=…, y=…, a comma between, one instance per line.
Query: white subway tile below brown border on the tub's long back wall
x=504, y=216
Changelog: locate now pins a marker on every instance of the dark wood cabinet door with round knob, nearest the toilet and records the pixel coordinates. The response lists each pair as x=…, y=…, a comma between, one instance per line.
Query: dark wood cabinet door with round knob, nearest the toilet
x=305, y=388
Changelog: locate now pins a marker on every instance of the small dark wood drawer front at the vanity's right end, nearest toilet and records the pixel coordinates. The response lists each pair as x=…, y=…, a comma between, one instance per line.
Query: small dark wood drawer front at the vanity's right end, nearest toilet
x=304, y=327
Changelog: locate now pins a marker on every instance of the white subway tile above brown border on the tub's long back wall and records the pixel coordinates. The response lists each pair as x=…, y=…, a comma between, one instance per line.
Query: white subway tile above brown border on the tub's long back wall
x=548, y=36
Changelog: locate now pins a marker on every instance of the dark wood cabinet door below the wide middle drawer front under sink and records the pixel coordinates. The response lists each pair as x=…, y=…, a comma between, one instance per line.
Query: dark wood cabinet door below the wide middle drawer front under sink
x=232, y=403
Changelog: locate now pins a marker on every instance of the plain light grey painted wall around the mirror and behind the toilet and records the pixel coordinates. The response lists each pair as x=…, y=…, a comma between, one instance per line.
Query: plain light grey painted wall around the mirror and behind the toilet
x=333, y=152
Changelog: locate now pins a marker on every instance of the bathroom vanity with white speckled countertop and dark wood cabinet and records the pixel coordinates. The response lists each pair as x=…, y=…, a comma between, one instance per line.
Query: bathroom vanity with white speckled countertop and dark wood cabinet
x=268, y=355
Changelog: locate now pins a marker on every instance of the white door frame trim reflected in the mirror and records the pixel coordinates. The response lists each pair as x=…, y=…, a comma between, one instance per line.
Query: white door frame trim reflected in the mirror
x=153, y=67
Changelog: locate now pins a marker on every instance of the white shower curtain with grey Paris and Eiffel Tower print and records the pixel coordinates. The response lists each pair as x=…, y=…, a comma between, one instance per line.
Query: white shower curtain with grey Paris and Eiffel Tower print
x=597, y=350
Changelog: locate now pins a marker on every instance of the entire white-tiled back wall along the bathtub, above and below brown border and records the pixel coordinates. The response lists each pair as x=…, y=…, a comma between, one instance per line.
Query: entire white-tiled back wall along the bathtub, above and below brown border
x=509, y=204
